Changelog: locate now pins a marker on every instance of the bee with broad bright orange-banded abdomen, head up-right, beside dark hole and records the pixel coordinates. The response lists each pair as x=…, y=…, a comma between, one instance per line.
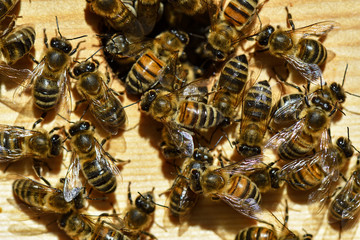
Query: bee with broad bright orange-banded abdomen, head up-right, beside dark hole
x=150, y=66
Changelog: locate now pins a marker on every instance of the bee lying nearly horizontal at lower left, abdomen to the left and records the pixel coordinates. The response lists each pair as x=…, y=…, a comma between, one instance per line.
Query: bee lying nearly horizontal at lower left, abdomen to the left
x=44, y=197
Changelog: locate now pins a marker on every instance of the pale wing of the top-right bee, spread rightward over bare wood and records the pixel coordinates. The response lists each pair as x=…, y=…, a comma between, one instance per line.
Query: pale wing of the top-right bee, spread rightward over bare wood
x=317, y=29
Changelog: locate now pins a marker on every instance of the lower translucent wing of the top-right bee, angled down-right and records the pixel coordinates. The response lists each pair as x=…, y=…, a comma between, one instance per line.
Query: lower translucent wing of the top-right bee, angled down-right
x=311, y=72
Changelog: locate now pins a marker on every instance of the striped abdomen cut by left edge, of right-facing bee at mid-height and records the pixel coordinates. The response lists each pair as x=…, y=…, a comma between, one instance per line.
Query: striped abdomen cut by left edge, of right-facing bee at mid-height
x=11, y=145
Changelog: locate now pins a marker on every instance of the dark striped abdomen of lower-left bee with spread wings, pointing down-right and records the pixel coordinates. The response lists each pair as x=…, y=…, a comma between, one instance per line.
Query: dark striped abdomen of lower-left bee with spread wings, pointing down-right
x=99, y=176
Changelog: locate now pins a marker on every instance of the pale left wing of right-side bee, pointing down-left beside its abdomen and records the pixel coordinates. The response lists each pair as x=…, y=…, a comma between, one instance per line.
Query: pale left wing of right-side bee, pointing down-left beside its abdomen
x=285, y=135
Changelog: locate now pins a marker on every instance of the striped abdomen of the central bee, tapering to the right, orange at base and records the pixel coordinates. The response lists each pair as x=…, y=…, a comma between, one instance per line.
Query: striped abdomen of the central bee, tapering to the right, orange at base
x=198, y=115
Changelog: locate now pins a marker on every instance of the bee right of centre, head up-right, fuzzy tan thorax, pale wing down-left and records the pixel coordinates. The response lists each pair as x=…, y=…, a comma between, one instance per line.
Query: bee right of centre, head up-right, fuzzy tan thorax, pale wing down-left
x=301, y=138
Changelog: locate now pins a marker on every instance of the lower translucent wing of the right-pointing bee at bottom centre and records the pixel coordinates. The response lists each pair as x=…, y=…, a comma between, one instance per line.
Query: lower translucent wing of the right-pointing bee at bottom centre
x=249, y=207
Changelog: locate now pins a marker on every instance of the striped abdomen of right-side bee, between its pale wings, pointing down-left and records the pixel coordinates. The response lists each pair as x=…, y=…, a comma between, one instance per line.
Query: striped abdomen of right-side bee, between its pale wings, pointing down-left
x=296, y=147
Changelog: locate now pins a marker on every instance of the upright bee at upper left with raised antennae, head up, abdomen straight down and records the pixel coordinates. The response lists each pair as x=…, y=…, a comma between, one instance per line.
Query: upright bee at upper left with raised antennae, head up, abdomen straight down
x=50, y=78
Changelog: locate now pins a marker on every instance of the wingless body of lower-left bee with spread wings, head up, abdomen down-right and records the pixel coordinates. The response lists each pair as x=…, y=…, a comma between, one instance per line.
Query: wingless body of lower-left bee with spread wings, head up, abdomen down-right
x=95, y=170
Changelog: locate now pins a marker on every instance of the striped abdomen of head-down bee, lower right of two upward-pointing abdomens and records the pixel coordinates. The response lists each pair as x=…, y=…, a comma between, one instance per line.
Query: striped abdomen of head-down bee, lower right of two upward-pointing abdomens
x=257, y=104
